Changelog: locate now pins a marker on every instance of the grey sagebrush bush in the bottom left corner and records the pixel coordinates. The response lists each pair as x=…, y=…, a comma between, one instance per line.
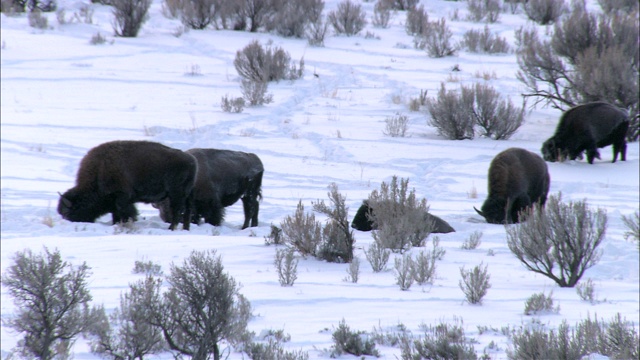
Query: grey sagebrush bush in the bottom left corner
x=52, y=303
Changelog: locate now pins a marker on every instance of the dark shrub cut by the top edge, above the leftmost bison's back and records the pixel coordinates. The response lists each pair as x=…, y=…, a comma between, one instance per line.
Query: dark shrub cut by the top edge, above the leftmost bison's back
x=129, y=16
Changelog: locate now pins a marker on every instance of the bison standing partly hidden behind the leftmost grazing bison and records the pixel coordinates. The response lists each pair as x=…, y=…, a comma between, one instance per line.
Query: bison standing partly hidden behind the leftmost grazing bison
x=224, y=176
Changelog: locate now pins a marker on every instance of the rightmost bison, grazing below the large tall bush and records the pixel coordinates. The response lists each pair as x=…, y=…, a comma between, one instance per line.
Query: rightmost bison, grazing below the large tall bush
x=586, y=128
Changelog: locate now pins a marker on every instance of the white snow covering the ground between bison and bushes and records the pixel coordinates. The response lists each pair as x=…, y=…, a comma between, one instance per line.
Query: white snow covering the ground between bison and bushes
x=61, y=96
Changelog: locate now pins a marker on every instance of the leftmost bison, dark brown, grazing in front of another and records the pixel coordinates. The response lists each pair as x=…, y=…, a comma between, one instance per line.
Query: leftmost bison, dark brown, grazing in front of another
x=115, y=175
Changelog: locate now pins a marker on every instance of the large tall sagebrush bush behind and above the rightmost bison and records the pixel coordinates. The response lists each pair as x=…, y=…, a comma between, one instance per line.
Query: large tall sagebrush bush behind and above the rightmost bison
x=588, y=58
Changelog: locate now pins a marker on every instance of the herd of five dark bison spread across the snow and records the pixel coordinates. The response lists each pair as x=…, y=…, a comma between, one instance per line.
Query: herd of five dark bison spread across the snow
x=199, y=183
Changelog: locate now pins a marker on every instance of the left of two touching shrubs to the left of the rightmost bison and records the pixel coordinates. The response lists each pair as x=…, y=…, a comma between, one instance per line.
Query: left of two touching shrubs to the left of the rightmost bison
x=450, y=113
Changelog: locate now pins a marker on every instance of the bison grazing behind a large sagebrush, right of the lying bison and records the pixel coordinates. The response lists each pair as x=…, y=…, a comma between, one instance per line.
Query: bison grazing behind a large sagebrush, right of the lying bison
x=517, y=179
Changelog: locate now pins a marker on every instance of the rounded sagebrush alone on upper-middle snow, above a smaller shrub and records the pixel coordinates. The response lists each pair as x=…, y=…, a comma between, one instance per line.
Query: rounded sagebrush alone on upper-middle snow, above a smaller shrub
x=259, y=63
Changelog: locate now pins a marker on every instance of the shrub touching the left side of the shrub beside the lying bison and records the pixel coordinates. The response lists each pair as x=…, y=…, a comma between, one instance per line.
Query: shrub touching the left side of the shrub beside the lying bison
x=302, y=231
